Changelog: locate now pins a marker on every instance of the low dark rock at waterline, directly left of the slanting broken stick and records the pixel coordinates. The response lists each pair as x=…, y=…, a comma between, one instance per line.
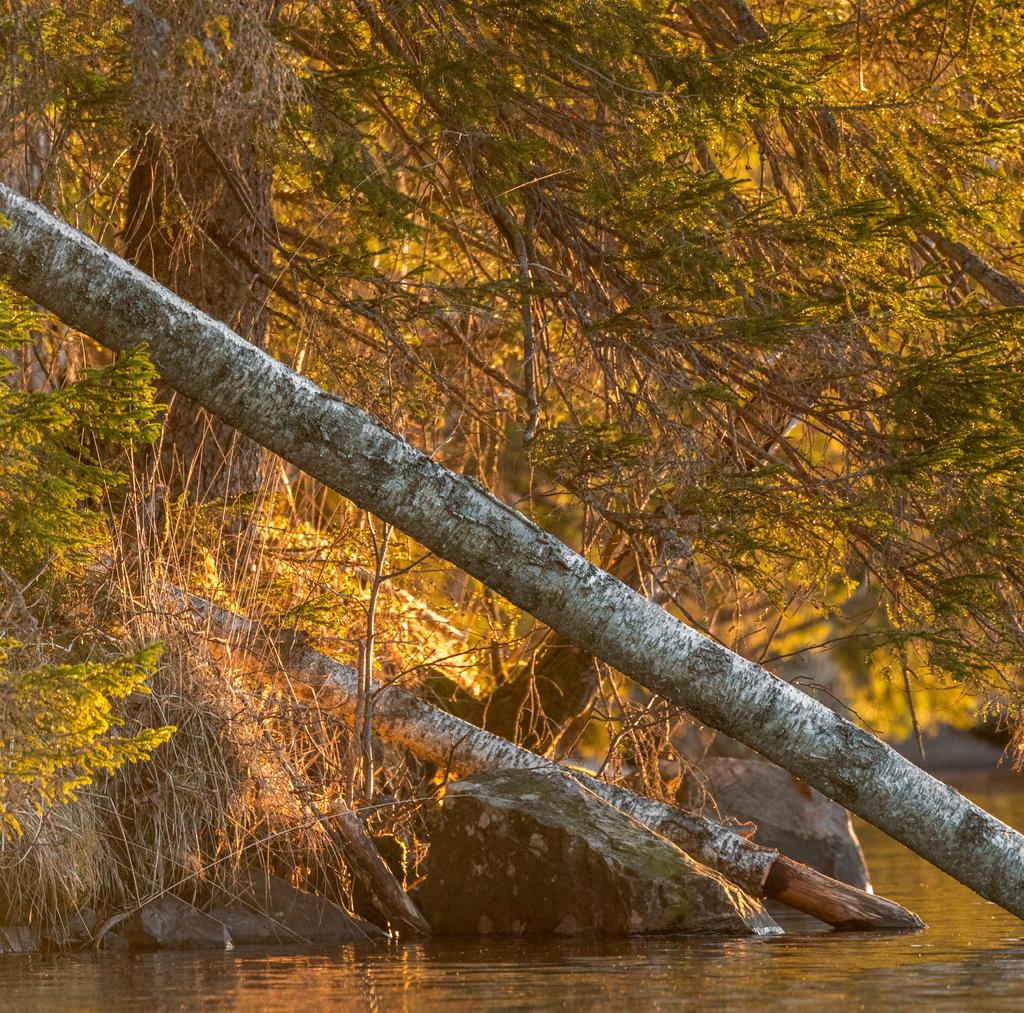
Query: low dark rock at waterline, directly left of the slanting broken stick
x=269, y=910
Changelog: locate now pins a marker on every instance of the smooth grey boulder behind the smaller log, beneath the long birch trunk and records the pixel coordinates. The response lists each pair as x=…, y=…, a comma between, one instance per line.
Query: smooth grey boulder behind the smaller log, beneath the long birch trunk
x=790, y=816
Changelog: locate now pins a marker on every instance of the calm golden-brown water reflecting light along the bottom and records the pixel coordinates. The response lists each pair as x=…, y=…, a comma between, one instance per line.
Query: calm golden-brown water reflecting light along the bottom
x=972, y=957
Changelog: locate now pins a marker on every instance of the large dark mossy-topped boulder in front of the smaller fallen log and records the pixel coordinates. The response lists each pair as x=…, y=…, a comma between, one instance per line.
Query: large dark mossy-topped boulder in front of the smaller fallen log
x=524, y=853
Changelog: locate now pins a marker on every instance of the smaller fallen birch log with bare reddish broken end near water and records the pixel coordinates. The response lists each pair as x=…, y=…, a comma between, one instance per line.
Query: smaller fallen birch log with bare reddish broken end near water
x=463, y=749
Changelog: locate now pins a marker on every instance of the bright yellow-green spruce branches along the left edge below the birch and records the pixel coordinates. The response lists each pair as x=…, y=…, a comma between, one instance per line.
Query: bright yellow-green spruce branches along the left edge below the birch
x=57, y=721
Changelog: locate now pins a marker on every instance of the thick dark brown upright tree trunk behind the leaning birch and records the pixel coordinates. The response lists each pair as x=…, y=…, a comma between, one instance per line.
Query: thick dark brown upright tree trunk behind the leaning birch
x=199, y=221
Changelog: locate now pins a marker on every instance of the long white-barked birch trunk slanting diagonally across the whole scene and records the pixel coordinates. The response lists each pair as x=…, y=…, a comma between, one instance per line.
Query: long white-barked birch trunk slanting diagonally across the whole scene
x=94, y=290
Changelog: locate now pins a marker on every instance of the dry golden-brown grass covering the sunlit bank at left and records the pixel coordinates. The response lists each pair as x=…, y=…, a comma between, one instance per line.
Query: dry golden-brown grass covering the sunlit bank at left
x=251, y=769
